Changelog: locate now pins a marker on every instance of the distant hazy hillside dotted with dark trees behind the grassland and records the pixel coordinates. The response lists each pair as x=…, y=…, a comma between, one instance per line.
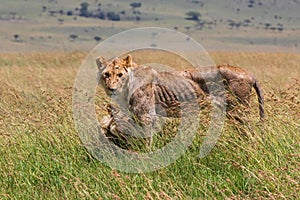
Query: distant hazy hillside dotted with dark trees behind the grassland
x=259, y=25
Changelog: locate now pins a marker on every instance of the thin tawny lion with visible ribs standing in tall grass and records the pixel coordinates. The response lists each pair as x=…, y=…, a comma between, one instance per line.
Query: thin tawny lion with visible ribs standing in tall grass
x=147, y=93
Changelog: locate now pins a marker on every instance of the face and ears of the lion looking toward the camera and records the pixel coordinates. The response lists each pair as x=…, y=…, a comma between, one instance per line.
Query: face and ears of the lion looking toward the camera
x=114, y=74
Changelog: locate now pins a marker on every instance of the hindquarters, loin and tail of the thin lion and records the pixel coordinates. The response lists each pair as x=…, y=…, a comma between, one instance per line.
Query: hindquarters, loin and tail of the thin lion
x=238, y=83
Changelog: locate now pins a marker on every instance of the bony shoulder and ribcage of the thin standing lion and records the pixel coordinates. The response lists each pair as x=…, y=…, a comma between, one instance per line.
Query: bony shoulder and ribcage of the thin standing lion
x=149, y=88
